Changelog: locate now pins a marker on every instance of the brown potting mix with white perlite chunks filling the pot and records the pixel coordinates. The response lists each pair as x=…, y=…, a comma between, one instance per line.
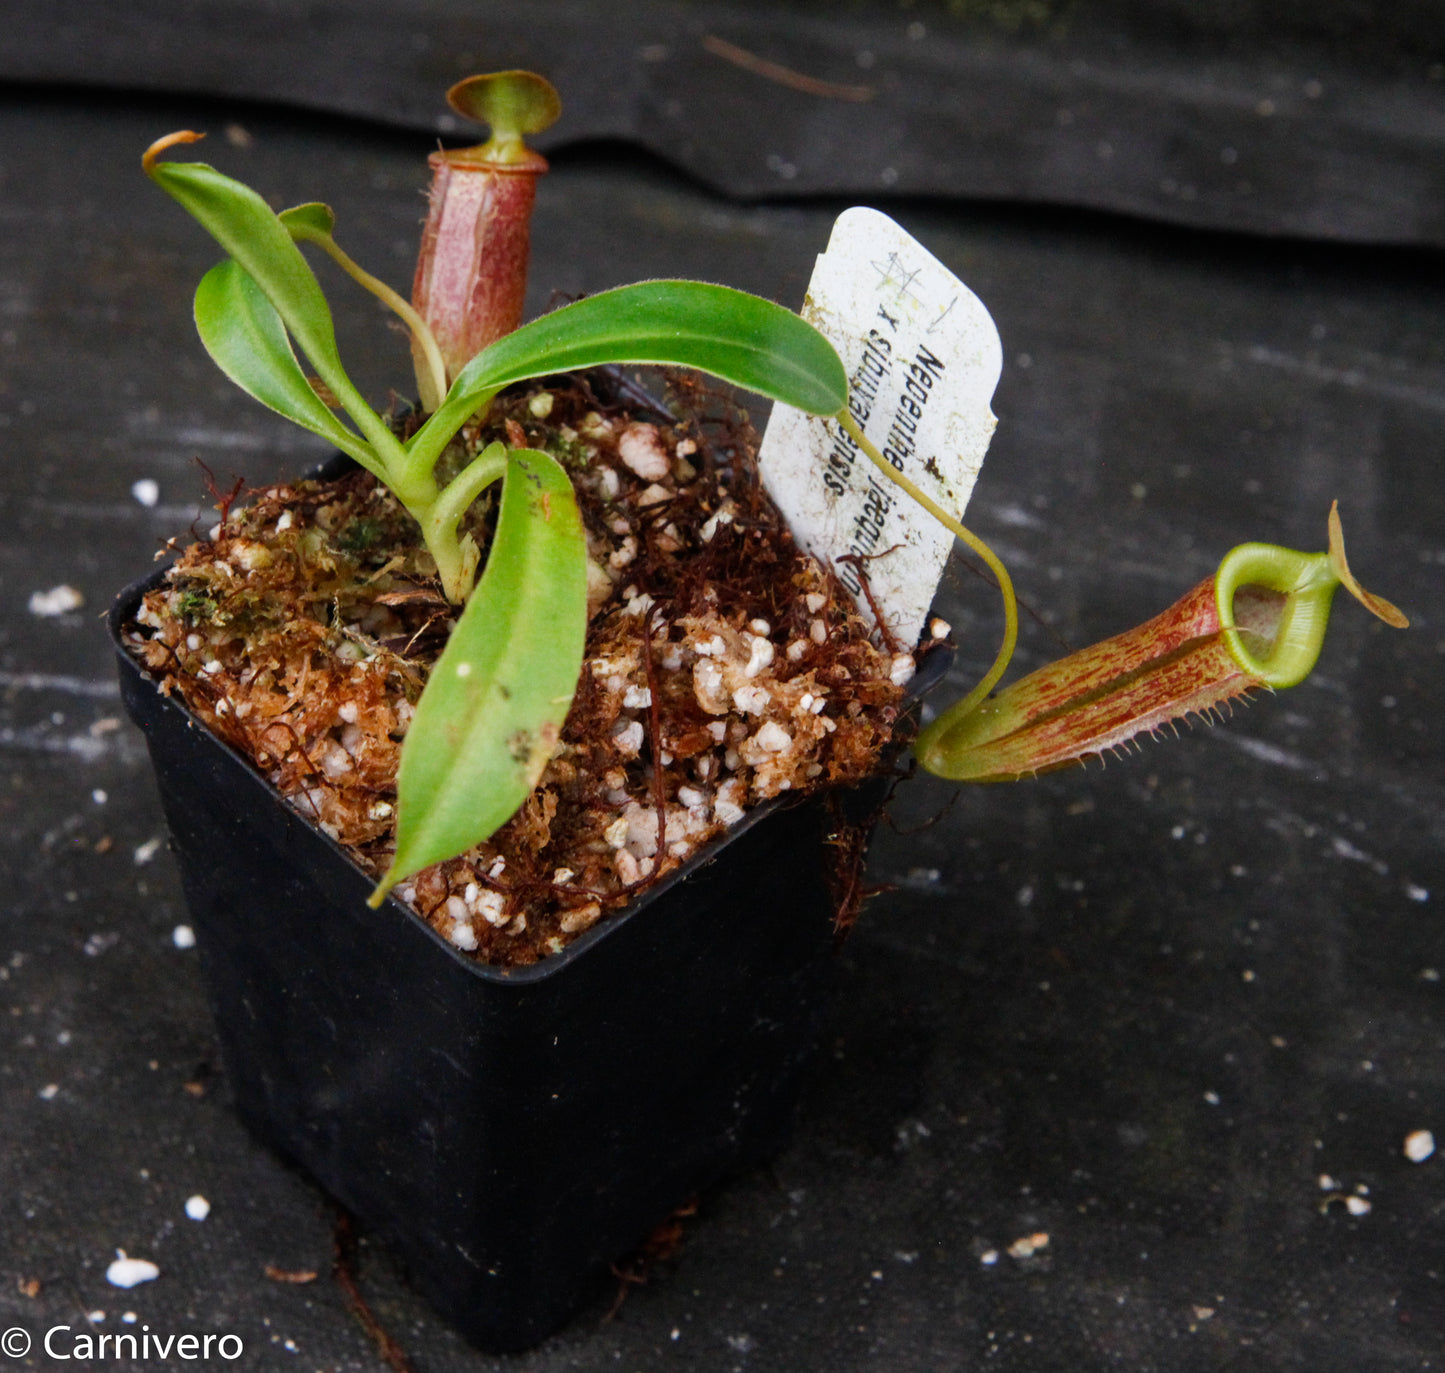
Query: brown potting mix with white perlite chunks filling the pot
x=723, y=666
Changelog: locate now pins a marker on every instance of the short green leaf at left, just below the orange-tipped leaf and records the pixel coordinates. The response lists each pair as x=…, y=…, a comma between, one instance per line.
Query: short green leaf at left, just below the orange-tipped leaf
x=248, y=342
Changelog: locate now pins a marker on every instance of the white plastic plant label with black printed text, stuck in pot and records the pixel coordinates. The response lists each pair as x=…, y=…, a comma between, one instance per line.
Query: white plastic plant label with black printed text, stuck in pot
x=923, y=358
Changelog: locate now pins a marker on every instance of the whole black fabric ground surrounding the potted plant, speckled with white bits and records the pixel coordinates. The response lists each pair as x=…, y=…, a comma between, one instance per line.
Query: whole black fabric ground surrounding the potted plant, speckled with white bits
x=1149, y=1010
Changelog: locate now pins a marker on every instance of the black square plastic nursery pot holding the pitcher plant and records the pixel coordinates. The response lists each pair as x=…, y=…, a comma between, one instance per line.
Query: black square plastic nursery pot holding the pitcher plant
x=509, y=1132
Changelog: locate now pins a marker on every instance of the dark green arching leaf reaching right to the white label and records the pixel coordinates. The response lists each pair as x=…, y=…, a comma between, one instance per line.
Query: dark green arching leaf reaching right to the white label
x=730, y=335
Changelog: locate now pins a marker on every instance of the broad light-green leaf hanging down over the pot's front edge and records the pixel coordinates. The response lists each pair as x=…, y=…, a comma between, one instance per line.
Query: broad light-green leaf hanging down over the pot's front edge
x=496, y=700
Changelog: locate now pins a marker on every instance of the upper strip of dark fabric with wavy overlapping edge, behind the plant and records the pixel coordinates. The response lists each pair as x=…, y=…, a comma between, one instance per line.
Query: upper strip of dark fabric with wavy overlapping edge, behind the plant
x=1316, y=119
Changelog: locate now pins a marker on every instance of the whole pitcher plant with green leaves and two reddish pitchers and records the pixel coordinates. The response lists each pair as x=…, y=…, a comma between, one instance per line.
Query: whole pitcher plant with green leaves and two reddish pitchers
x=495, y=705
